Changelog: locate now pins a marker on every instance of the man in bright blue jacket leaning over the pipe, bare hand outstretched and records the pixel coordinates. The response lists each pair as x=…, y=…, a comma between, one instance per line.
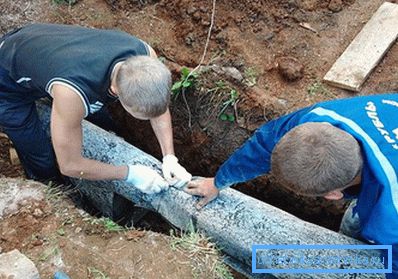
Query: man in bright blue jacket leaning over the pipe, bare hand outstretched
x=329, y=149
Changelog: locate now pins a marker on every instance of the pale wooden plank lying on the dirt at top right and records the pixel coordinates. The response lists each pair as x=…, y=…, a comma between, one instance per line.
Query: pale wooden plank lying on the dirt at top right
x=358, y=60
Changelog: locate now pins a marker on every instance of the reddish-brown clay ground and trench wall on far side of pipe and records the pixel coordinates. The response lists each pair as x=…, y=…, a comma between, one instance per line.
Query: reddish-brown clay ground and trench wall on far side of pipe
x=257, y=38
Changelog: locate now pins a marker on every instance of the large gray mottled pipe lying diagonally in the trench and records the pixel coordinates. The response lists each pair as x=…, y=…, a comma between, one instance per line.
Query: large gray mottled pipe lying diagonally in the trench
x=234, y=221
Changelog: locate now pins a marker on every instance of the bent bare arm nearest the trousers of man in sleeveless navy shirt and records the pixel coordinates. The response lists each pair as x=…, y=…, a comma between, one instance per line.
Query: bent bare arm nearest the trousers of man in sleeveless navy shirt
x=66, y=132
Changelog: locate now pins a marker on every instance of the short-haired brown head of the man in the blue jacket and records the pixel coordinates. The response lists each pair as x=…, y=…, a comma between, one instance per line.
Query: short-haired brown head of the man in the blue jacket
x=316, y=159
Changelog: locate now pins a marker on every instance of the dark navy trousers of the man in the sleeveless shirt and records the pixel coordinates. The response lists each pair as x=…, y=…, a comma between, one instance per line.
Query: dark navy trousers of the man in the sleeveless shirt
x=19, y=120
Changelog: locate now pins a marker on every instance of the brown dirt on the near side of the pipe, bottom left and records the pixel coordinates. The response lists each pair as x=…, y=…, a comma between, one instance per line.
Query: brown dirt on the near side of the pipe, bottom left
x=57, y=236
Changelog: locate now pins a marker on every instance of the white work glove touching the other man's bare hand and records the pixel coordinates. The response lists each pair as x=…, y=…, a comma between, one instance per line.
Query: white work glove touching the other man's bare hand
x=174, y=173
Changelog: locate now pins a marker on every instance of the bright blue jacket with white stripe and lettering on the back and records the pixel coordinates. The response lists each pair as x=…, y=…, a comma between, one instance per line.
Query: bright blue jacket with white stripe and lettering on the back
x=373, y=122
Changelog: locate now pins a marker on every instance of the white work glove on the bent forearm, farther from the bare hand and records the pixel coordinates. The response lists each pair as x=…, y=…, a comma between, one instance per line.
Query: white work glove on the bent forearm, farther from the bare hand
x=146, y=179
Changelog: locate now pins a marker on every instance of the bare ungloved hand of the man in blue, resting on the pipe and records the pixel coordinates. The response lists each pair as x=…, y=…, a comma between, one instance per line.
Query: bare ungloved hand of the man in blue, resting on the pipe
x=202, y=187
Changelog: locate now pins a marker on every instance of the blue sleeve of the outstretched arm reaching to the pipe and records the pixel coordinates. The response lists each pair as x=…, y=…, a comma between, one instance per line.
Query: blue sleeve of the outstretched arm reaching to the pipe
x=254, y=157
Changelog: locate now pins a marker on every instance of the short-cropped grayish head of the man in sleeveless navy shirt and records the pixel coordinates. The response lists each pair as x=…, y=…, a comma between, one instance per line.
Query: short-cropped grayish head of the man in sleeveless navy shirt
x=143, y=86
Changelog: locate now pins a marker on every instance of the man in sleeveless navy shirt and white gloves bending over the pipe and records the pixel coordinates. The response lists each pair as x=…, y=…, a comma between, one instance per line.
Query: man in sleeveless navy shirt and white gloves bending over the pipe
x=82, y=69
